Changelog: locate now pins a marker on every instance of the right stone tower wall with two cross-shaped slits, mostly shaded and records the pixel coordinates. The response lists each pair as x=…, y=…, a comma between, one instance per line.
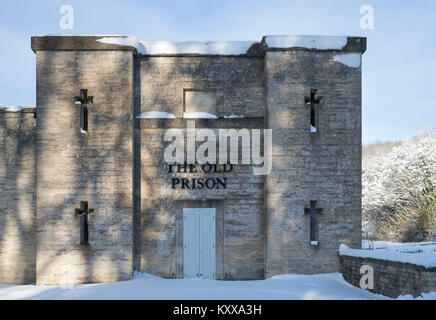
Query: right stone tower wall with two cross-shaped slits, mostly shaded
x=322, y=166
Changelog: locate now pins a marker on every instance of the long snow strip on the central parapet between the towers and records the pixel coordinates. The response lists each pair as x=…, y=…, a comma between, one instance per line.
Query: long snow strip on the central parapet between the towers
x=209, y=48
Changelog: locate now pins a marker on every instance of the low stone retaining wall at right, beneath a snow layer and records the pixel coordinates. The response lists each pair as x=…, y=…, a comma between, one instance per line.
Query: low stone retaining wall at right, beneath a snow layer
x=390, y=278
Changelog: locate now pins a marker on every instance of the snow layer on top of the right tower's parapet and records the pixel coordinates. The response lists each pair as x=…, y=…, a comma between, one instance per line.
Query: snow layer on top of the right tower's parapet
x=309, y=42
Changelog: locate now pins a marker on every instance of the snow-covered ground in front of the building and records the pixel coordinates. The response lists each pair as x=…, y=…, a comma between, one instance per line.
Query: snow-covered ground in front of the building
x=146, y=286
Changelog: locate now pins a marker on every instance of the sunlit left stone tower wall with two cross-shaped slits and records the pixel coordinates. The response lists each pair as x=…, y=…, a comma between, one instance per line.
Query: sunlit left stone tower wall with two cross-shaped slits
x=74, y=166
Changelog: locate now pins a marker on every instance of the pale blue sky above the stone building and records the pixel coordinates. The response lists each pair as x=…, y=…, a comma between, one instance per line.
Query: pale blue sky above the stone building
x=398, y=68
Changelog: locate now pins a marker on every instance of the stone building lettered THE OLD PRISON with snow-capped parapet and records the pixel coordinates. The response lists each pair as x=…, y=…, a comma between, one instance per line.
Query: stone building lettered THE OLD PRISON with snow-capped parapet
x=86, y=195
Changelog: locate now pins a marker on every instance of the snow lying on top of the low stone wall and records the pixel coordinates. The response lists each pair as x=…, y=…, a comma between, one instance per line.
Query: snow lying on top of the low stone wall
x=422, y=257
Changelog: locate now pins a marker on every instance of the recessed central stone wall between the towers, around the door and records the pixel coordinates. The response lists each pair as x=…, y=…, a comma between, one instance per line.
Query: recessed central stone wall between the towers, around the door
x=238, y=82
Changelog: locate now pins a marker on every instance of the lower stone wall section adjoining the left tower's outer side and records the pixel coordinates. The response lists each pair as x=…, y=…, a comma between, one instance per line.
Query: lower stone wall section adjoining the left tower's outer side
x=17, y=197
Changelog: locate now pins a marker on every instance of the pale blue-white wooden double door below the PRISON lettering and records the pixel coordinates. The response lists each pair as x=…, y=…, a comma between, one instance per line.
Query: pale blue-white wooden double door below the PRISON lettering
x=199, y=243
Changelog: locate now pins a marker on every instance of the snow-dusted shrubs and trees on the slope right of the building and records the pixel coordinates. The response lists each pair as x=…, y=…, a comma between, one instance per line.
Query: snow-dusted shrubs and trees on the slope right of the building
x=399, y=189
